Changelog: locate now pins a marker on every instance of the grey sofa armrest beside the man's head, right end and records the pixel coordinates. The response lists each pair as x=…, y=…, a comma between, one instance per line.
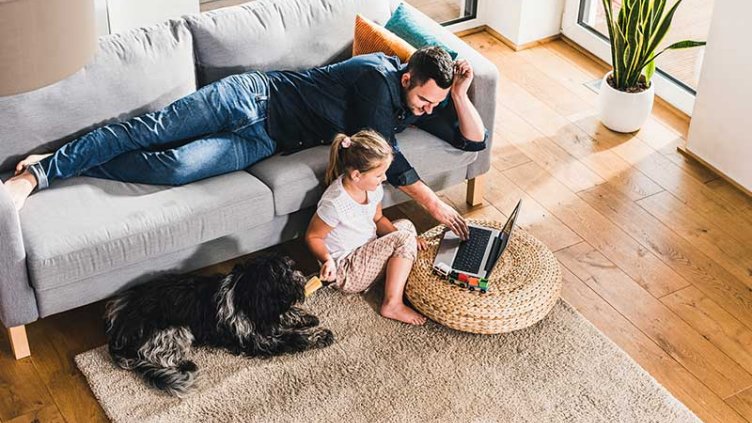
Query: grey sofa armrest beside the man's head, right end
x=483, y=90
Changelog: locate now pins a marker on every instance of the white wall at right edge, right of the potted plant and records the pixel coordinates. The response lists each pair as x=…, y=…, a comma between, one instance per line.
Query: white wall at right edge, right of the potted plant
x=721, y=128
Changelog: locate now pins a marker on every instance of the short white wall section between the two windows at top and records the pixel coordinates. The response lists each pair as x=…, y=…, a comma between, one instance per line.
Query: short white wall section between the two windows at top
x=523, y=21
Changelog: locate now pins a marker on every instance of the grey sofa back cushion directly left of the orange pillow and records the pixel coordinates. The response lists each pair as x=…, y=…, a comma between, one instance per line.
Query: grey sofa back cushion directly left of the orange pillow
x=277, y=35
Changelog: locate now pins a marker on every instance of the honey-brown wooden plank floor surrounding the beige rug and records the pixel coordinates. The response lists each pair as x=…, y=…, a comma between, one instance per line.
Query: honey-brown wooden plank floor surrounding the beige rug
x=655, y=249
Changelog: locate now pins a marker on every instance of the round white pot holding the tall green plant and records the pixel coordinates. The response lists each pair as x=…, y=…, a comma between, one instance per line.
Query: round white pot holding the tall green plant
x=621, y=111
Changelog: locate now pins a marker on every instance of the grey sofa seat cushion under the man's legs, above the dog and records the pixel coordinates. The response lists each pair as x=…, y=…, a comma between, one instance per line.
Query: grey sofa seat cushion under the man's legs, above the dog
x=83, y=227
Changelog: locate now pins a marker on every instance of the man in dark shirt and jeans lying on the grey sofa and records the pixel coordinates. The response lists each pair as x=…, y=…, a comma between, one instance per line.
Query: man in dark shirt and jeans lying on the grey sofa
x=242, y=119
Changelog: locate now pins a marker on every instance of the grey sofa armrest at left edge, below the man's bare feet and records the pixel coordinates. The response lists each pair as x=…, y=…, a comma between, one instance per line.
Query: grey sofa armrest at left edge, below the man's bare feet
x=18, y=305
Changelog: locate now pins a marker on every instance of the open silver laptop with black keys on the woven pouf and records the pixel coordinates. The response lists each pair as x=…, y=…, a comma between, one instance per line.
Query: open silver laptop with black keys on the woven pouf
x=477, y=256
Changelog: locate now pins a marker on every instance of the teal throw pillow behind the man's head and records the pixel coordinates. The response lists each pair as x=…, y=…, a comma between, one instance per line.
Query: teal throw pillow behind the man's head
x=416, y=29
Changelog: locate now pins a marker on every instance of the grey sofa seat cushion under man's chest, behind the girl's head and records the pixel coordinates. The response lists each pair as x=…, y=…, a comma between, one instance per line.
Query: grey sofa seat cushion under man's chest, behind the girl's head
x=297, y=180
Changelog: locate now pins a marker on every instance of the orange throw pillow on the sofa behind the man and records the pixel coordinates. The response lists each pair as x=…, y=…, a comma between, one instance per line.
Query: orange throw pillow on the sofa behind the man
x=371, y=37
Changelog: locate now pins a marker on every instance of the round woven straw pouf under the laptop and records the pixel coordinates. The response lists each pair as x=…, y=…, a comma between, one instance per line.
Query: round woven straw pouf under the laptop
x=522, y=289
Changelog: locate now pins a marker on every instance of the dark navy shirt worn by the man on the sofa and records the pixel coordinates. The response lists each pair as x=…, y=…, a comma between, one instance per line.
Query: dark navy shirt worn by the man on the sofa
x=309, y=108
